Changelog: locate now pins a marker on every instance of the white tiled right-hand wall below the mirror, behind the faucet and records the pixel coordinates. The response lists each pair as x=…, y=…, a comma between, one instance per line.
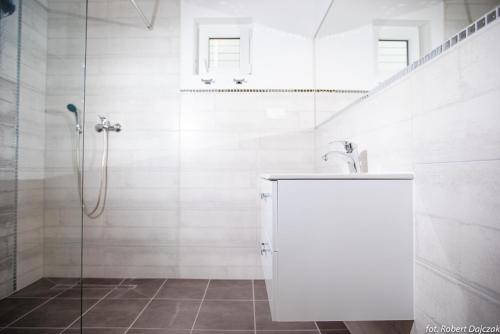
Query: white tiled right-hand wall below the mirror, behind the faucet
x=441, y=122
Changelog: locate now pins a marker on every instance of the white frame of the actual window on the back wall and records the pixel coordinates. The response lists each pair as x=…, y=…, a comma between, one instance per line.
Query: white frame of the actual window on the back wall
x=211, y=30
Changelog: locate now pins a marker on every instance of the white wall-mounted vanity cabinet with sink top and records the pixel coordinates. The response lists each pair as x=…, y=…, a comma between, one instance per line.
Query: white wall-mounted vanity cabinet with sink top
x=338, y=247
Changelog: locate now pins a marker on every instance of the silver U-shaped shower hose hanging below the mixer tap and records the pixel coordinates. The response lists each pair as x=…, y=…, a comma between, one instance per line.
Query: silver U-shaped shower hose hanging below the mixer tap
x=96, y=210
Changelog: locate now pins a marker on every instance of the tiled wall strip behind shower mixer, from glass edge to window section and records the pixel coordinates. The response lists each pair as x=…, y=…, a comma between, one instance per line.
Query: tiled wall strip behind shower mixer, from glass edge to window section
x=133, y=78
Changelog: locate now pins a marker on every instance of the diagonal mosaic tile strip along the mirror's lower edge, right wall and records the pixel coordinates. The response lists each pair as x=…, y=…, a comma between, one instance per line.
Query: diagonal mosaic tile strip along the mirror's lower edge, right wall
x=480, y=23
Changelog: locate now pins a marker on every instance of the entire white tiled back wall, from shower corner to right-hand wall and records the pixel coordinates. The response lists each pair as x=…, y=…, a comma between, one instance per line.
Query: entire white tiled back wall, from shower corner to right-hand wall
x=183, y=175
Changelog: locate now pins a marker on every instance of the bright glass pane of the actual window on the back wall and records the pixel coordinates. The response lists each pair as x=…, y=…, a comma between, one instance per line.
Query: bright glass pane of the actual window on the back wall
x=224, y=53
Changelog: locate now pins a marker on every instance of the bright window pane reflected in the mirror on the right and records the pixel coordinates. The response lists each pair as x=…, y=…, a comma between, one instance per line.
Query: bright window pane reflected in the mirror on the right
x=393, y=56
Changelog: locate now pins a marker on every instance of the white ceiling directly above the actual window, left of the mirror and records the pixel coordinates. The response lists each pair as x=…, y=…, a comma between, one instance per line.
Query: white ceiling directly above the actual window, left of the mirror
x=295, y=16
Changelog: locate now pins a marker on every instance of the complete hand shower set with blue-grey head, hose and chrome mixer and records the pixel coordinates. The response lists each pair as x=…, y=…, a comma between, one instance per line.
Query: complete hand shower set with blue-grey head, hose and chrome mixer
x=104, y=127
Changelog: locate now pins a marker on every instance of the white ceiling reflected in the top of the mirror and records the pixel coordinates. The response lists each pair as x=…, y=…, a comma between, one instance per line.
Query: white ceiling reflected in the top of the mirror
x=349, y=14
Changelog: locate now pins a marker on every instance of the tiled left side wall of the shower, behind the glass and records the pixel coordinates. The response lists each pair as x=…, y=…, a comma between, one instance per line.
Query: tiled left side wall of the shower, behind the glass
x=28, y=137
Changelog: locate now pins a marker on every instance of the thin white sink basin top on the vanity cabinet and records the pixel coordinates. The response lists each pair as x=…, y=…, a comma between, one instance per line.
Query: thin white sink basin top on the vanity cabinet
x=327, y=176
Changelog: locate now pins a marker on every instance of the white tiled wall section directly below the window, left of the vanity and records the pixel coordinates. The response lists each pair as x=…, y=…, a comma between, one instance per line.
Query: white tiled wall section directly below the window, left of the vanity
x=227, y=140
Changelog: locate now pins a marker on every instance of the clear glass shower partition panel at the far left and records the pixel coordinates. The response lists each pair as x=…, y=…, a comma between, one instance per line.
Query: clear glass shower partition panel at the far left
x=42, y=104
